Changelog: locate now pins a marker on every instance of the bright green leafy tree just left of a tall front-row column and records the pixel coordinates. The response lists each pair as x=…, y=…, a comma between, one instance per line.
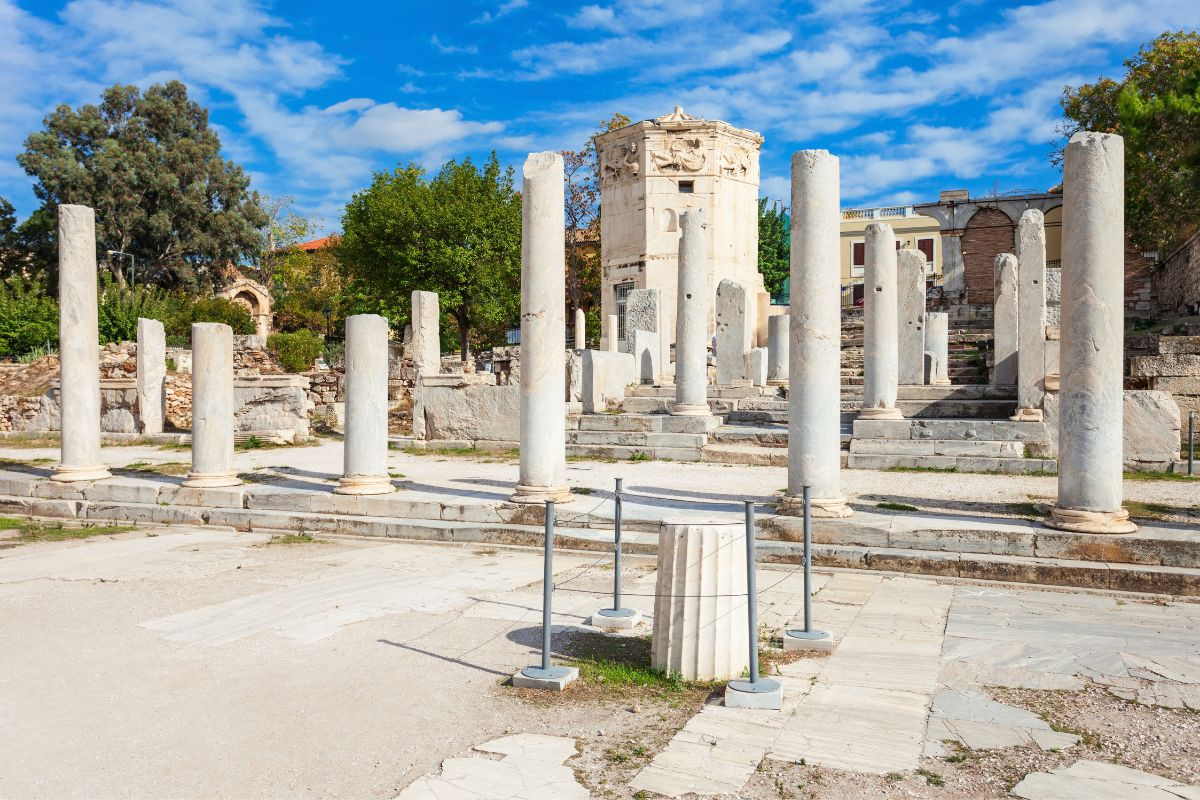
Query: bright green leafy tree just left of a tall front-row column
x=458, y=234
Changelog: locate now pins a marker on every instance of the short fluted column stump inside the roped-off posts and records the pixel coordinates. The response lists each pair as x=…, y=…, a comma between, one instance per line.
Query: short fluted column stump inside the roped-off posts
x=700, y=606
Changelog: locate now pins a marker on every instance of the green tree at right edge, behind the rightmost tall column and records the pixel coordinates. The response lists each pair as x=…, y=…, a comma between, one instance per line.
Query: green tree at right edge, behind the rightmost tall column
x=1156, y=107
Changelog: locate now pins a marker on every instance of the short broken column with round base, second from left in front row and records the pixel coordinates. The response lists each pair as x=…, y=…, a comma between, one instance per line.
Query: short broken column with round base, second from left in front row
x=212, y=407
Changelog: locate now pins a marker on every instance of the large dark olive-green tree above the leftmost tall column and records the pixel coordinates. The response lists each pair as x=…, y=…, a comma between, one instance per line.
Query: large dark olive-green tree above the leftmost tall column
x=152, y=169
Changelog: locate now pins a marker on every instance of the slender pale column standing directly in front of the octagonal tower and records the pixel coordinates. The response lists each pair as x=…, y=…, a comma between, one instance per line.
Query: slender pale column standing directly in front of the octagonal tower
x=692, y=317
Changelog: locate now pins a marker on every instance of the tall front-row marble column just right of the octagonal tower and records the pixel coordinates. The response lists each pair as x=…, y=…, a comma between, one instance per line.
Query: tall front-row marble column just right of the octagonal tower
x=814, y=418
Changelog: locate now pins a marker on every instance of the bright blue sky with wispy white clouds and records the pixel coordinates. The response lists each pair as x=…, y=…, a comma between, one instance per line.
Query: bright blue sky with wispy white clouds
x=314, y=97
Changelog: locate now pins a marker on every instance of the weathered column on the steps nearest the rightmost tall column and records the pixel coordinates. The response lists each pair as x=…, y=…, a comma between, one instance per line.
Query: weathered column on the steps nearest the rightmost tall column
x=1031, y=312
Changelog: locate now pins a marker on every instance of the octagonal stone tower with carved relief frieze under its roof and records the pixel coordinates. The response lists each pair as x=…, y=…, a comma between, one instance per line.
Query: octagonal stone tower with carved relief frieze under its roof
x=652, y=172
